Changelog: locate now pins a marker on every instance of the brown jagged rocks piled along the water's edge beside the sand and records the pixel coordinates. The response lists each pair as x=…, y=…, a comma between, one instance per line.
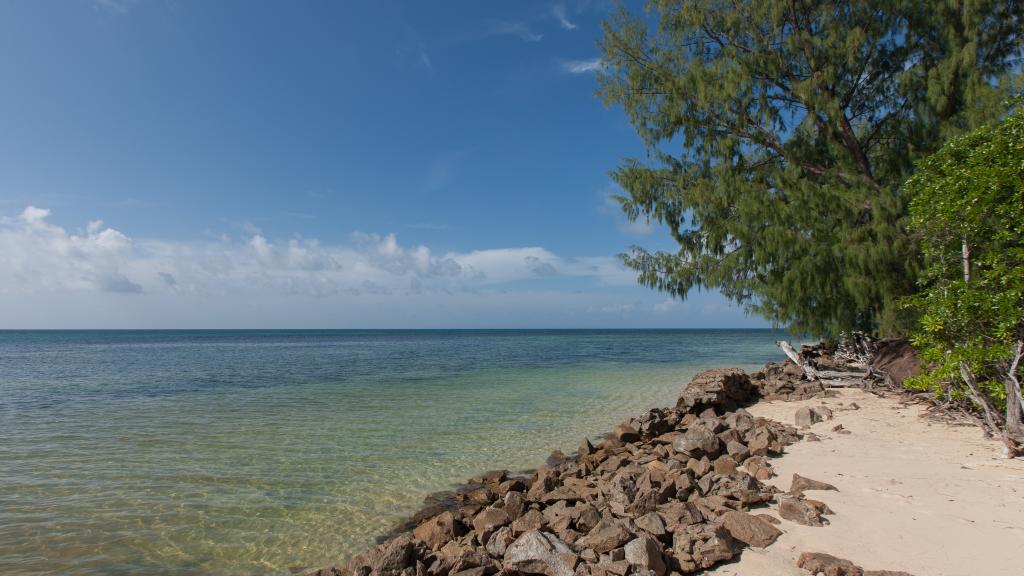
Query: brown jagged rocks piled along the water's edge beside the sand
x=673, y=491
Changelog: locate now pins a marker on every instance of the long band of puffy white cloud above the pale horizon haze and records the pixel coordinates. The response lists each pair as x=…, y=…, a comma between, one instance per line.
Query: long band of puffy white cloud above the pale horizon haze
x=38, y=256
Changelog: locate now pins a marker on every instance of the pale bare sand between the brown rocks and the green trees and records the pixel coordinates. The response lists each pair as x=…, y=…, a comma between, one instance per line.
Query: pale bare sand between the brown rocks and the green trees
x=917, y=497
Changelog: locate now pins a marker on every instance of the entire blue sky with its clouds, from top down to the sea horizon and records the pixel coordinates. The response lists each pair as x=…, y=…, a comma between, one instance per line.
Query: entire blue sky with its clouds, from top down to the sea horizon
x=317, y=164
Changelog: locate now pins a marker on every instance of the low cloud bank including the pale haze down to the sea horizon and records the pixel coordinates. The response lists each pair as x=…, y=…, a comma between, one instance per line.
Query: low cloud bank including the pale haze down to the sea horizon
x=100, y=277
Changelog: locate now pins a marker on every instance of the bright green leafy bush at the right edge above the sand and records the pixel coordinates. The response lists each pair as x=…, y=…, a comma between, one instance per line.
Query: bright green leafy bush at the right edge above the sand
x=967, y=205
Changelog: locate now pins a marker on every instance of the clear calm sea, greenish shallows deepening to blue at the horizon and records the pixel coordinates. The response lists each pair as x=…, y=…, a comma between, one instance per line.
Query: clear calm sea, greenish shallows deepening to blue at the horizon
x=257, y=452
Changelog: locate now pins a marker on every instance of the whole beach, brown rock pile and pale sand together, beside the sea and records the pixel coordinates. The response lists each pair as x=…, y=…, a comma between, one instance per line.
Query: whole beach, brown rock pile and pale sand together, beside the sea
x=771, y=474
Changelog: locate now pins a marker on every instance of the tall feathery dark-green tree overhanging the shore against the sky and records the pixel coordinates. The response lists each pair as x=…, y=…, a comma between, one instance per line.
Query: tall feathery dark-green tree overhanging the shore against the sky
x=779, y=134
